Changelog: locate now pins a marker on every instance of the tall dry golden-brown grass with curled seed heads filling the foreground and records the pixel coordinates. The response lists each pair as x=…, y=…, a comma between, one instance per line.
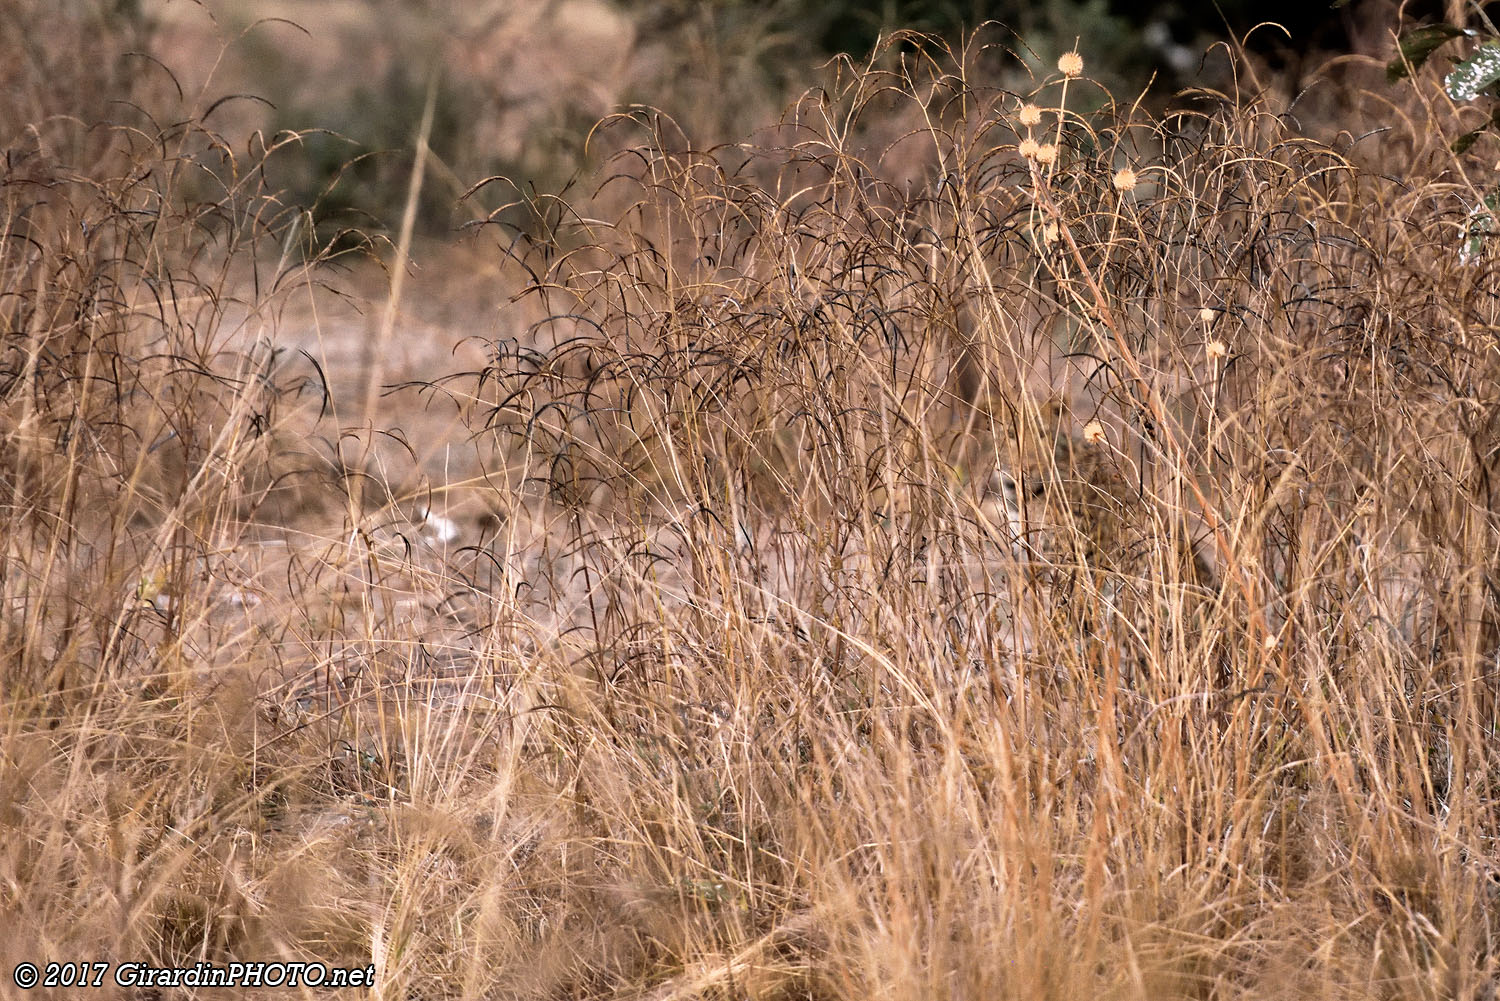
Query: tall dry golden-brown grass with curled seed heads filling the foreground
x=671, y=651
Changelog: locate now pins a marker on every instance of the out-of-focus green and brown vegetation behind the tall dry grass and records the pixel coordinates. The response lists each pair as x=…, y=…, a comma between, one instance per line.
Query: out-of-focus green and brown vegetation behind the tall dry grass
x=520, y=83
